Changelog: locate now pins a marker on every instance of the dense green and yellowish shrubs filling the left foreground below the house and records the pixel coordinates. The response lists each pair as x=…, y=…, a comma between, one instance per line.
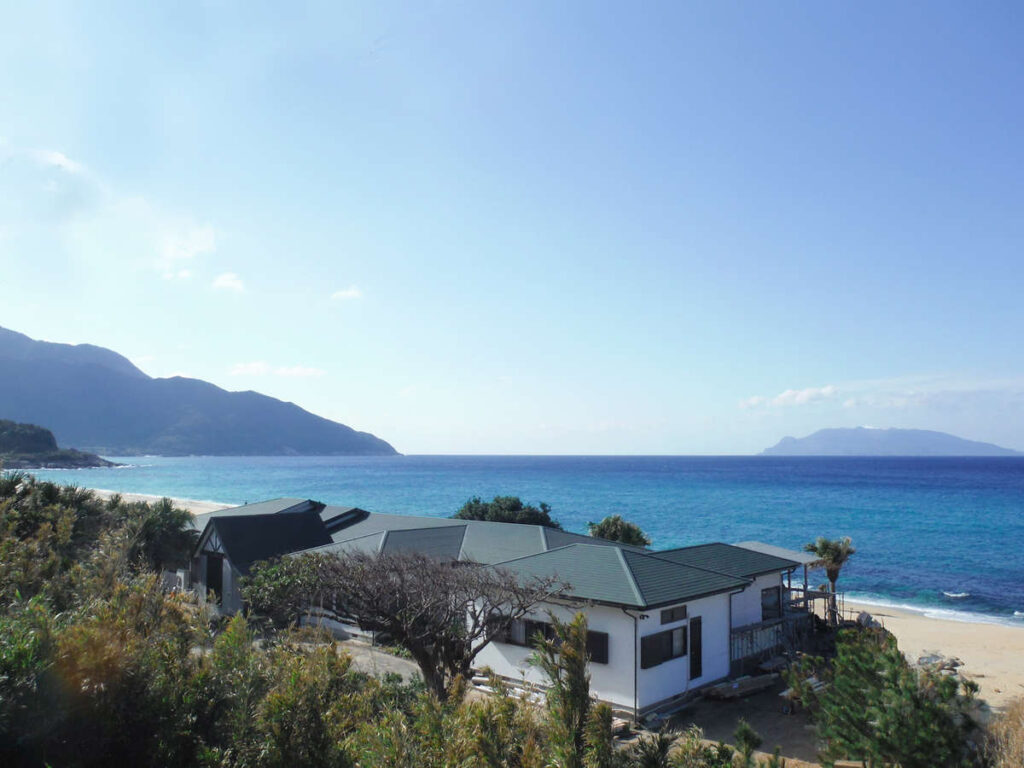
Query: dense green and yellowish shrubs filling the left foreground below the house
x=101, y=665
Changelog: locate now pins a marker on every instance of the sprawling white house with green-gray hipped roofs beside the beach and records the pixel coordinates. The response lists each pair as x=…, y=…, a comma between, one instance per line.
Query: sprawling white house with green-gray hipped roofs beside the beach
x=662, y=624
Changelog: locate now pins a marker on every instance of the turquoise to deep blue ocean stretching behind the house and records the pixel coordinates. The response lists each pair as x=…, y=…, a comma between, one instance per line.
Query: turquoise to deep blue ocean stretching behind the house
x=945, y=536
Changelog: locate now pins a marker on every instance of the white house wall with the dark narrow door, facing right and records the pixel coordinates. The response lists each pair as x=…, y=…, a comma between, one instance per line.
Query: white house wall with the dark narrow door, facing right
x=672, y=678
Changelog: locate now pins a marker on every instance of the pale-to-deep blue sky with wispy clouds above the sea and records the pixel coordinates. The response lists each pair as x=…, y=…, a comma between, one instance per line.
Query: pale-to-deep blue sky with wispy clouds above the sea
x=533, y=228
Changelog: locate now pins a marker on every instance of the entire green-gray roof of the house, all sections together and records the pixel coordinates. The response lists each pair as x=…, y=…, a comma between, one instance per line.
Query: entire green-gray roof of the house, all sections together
x=595, y=570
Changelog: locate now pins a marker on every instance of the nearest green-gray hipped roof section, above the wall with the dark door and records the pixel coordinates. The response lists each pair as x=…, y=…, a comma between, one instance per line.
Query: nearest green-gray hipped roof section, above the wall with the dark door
x=615, y=575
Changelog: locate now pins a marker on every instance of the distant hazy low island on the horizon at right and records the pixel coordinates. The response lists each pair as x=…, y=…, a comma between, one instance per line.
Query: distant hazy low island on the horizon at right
x=869, y=442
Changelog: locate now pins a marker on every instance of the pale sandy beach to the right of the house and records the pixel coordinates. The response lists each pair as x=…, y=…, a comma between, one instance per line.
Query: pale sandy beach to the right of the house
x=993, y=654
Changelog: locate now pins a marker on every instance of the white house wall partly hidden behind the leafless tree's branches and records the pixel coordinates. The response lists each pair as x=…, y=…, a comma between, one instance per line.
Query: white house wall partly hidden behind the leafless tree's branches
x=611, y=682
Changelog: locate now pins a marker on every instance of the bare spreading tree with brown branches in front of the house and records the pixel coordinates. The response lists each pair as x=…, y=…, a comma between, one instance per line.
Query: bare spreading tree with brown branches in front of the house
x=443, y=613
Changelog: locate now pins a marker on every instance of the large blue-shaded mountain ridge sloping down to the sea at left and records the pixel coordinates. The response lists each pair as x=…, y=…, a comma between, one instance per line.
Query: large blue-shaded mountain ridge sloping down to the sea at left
x=97, y=400
